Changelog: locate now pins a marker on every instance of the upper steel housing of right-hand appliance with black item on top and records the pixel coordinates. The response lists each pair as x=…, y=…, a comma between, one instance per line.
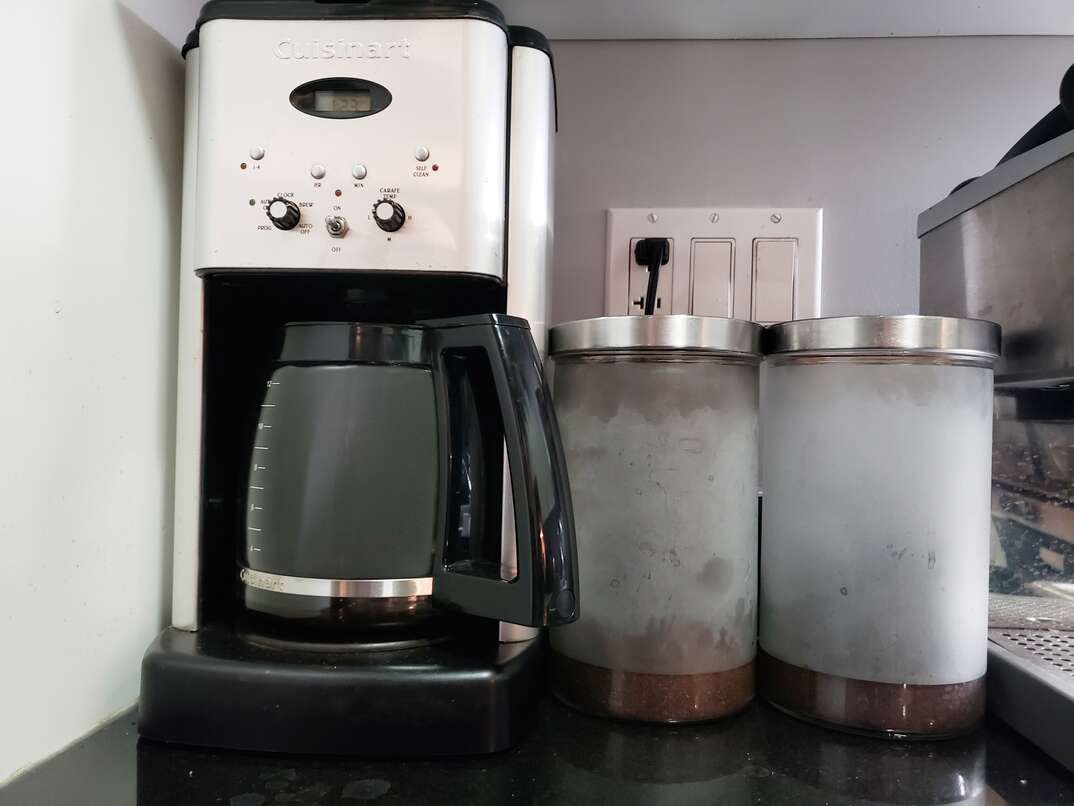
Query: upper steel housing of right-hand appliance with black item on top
x=1000, y=248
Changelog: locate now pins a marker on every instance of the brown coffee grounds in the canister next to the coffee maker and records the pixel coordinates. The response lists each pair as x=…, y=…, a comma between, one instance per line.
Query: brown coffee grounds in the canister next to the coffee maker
x=651, y=698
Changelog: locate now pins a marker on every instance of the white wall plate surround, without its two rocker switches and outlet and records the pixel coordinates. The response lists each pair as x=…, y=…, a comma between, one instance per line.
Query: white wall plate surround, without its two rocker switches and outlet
x=741, y=225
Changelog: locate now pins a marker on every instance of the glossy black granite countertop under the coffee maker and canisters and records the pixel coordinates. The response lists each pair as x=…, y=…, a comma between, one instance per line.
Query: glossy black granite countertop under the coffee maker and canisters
x=761, y=757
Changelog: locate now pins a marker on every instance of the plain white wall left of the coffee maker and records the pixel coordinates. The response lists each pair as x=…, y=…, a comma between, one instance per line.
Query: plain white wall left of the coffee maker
x=90, y=177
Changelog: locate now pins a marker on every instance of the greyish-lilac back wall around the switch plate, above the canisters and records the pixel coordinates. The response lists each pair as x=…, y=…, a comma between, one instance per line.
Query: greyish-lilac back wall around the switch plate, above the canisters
x=872, y=131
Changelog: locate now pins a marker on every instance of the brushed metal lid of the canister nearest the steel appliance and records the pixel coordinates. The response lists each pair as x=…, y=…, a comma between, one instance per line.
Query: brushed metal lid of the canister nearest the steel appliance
x=941, y=336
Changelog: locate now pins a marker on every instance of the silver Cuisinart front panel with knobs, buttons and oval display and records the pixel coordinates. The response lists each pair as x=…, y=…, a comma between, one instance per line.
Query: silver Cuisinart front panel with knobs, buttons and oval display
x=352, y=147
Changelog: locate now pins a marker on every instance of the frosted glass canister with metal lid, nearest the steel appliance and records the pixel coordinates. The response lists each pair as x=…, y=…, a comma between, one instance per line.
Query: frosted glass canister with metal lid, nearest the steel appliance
x=877, y=465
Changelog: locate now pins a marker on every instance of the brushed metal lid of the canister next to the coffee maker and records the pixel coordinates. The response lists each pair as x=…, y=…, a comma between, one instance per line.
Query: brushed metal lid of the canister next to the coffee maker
x=657, y=334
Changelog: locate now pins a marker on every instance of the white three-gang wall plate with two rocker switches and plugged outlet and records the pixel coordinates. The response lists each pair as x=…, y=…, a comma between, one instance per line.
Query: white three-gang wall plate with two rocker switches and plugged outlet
x=760, y=264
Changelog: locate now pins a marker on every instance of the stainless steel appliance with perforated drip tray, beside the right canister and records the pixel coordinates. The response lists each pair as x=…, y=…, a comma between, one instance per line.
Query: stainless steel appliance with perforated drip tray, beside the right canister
x=1003, y=248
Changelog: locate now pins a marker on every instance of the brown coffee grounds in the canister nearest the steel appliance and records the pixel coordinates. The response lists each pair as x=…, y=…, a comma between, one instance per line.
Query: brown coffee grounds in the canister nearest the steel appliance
x=904, y=711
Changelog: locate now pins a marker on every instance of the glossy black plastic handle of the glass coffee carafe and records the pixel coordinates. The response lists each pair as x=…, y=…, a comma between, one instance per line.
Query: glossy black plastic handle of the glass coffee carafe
x=546, y=588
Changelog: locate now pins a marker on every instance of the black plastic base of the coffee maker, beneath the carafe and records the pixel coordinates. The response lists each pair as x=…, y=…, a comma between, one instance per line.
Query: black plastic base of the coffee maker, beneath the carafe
x=216, y=688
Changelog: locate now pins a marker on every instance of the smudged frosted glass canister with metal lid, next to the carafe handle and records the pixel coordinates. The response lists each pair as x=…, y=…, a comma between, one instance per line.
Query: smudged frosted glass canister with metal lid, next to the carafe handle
x=659, y=418
